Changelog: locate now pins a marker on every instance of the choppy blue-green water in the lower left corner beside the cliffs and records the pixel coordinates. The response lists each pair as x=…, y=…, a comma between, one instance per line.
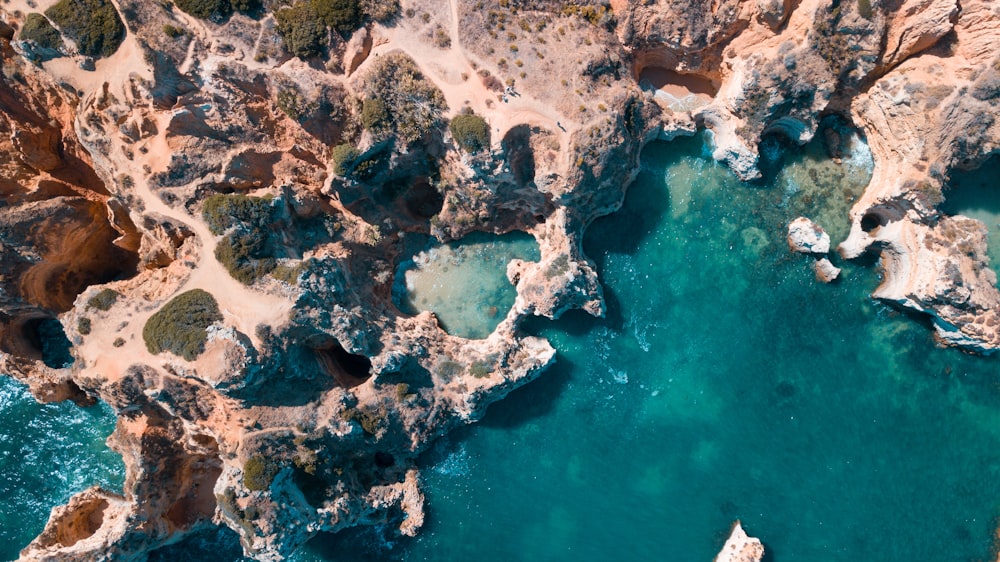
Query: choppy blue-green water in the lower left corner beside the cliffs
x=48, y=452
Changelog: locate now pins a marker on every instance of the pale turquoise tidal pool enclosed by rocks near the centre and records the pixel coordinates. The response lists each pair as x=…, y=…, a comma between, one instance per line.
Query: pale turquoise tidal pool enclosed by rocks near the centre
x=464, y=283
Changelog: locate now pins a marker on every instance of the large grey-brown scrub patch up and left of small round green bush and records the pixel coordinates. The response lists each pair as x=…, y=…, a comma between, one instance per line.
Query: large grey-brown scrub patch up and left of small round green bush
x=414, y=104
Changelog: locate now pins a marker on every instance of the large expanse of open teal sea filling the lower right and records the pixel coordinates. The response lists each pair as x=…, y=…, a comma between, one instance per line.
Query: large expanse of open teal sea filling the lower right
x=724, y=383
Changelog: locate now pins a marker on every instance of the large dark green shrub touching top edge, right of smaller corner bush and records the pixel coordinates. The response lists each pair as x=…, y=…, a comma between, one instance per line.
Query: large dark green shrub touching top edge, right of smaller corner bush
x=93, y=24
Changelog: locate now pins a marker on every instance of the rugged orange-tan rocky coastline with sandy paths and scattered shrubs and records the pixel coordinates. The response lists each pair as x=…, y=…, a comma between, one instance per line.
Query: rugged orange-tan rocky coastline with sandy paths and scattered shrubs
x=205, y=203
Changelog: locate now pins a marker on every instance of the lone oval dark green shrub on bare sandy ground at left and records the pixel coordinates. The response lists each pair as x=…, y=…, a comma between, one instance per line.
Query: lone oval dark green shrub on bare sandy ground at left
x=180, y=326
